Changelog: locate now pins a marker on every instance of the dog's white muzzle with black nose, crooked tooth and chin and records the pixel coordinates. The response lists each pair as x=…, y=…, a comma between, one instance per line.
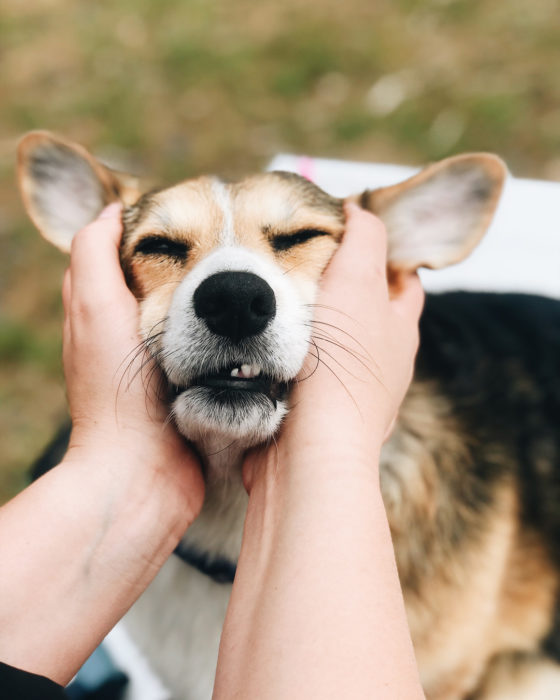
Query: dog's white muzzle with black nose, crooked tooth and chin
x=234, y=340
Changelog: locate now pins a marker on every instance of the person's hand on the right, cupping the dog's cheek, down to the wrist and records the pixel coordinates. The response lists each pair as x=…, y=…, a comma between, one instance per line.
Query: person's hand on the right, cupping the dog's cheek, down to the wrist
x=362, y=354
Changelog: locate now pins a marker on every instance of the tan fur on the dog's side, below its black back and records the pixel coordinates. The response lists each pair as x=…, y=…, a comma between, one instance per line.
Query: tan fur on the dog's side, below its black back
x=509, y=601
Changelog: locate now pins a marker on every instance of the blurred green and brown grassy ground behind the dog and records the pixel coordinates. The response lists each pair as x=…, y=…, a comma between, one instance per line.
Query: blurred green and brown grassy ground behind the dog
x=174, y=88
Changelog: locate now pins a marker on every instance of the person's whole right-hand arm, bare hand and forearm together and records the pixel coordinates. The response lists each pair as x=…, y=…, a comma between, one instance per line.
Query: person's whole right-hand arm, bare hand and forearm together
x=316, y=609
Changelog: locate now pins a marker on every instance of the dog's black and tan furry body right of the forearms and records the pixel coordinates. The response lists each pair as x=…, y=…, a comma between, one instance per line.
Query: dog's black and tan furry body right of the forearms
x=472, y=485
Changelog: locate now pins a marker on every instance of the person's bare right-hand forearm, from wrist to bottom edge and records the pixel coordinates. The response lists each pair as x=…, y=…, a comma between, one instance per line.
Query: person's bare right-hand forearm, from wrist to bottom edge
x=316, y=609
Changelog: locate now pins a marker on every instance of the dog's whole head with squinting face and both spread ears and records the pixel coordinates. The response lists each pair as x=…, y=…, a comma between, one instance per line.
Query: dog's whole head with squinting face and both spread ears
x=226, y=274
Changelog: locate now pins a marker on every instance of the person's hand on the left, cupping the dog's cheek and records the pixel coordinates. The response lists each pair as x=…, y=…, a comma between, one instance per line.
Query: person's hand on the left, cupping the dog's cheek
x=112, y=383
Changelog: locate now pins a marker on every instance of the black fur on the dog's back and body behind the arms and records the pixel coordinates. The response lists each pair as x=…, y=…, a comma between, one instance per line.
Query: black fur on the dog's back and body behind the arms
x=497, y=358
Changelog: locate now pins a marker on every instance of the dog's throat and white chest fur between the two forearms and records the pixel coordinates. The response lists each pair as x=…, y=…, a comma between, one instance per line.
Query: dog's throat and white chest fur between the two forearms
x=178, y=621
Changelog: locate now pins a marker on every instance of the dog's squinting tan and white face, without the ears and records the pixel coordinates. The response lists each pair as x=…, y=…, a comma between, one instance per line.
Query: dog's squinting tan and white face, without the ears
x=226, y=275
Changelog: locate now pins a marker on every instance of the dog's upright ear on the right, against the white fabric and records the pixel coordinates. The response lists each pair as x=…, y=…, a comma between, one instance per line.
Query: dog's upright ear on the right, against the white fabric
x=437, y=217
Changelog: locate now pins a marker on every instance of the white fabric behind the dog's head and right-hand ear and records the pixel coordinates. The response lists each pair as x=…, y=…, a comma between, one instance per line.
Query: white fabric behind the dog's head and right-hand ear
x=520, y=252
